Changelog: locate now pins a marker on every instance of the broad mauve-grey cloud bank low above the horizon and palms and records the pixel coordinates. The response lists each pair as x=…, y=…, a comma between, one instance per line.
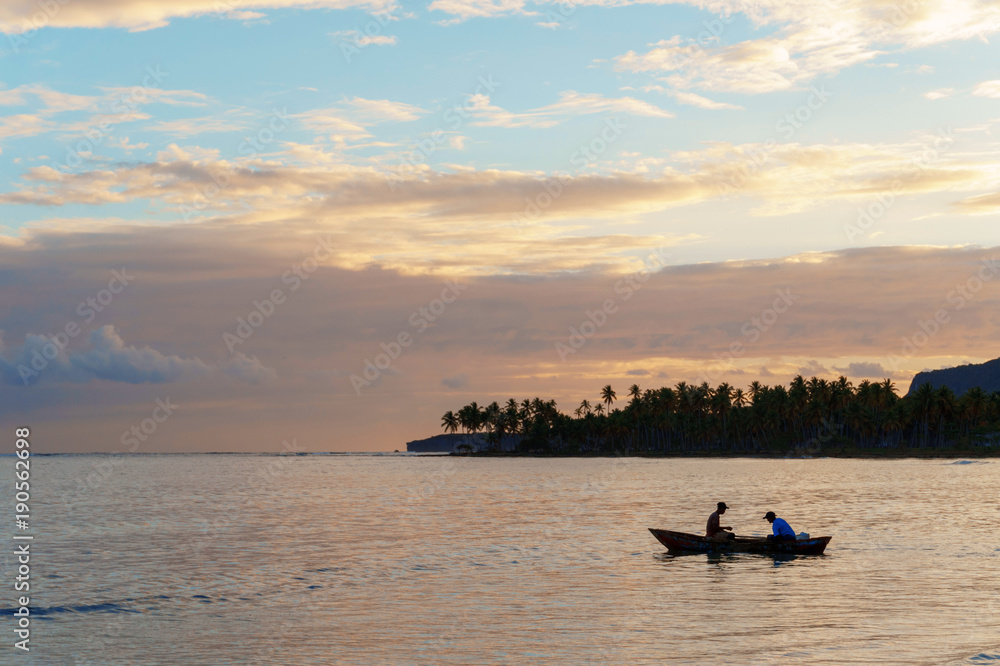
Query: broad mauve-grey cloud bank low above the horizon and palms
x=197, y=279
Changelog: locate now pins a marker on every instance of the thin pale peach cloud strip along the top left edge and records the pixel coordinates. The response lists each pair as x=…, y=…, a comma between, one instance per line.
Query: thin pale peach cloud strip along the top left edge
x=136, y=15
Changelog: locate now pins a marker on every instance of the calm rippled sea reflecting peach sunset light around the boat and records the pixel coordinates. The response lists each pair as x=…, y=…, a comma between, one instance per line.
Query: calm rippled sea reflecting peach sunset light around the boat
x=396, y=559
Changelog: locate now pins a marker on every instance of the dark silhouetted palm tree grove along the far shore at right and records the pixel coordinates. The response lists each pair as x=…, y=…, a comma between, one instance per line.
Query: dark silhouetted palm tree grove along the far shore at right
x=808, y=415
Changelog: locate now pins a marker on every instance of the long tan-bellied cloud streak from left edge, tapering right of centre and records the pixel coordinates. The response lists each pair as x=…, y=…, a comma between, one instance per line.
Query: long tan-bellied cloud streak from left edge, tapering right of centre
x=358, y=192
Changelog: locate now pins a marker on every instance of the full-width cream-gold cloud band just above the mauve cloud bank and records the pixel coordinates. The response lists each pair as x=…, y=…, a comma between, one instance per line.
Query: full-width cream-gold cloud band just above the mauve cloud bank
x=416, y=224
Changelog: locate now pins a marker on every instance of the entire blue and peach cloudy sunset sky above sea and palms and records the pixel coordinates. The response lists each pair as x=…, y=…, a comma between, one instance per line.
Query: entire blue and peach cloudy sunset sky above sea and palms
x=263, y=225
